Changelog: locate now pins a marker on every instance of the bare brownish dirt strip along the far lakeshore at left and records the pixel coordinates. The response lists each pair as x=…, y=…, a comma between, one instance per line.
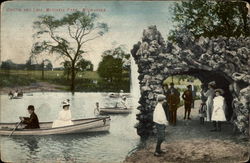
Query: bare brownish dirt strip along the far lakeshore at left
x=34, y=87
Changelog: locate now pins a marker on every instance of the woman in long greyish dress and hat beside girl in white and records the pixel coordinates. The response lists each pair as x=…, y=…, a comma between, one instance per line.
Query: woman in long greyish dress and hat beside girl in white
x=209, y=103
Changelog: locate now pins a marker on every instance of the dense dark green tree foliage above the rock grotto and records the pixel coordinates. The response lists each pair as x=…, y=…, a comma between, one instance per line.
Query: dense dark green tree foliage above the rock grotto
x=210, y=19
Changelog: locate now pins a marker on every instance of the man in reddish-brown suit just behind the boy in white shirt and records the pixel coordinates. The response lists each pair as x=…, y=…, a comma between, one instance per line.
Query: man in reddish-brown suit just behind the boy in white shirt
x=173, y=100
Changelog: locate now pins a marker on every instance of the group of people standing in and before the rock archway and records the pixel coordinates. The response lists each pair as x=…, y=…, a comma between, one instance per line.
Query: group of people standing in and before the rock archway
x=213, y=108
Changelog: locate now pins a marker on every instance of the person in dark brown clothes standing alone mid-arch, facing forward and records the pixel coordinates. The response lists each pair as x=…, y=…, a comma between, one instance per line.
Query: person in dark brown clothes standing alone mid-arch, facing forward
x=188, y=100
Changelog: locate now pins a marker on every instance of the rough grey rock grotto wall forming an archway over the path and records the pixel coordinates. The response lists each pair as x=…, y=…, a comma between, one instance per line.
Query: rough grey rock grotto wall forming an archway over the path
x=157, y=60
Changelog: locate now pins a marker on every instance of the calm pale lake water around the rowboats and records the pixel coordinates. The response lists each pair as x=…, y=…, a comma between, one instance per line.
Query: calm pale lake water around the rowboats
x=108, y=147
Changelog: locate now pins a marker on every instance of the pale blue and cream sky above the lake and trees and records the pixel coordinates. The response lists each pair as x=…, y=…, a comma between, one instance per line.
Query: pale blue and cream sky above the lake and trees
x=126, y=21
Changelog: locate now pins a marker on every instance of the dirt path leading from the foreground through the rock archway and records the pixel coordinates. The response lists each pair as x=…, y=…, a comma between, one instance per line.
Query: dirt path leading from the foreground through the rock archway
x=191, y=142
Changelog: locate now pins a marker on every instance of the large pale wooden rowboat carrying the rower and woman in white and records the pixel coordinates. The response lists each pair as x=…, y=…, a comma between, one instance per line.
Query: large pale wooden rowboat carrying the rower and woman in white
x=89, y=125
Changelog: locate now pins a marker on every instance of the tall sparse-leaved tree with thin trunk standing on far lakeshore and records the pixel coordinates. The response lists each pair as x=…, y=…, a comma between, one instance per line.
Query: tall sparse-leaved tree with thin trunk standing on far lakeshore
x=67, y=36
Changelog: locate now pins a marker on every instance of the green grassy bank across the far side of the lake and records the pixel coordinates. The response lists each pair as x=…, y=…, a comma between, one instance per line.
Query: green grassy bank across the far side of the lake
x=88, y=81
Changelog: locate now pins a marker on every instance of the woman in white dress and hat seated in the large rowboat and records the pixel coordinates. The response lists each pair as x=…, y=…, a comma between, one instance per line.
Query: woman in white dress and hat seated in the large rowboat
x=64, y=117
